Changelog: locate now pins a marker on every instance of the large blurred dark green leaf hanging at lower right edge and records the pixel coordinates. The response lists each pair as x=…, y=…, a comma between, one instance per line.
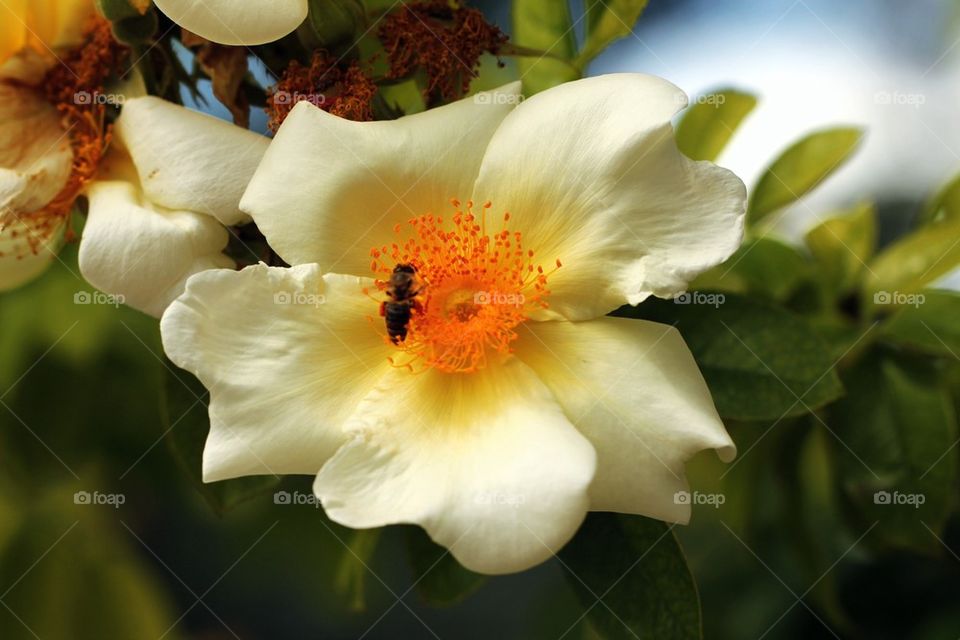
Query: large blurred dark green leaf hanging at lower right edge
x=894, y=433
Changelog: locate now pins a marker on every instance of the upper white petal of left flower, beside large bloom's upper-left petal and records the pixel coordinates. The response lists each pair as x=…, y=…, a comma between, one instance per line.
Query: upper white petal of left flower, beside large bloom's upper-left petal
x=189, y=160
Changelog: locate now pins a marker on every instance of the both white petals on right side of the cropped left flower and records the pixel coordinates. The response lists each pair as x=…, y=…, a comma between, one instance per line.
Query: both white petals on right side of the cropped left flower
x=158, y=209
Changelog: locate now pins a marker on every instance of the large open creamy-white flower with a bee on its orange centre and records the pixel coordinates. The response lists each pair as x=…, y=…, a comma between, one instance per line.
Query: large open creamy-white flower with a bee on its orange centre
x=520, y=417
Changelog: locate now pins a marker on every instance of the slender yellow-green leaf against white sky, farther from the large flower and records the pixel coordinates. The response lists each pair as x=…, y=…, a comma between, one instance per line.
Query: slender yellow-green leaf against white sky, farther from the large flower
x=801, y=168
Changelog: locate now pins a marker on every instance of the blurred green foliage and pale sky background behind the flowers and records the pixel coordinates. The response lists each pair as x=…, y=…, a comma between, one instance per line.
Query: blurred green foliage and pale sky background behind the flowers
x=831, y=343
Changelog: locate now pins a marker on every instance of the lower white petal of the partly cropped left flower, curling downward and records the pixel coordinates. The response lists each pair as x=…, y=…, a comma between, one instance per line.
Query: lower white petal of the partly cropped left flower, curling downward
x=143, y=252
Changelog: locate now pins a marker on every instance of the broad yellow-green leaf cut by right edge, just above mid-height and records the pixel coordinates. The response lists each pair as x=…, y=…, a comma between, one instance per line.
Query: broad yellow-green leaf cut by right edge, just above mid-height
x=907, y=266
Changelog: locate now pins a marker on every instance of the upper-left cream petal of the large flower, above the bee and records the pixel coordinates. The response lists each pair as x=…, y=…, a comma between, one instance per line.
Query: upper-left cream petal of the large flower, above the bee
x=330, y=189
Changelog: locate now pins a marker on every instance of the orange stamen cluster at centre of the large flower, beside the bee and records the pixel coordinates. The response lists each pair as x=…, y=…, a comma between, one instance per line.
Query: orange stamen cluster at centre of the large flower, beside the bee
x=473, y=288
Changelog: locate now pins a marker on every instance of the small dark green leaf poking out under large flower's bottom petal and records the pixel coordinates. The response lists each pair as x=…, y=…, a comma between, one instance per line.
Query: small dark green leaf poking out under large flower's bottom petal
x=441, y=580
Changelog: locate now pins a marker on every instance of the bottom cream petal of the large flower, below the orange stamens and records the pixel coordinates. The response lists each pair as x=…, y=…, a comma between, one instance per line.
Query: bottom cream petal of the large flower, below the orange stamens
x=487, y=464
